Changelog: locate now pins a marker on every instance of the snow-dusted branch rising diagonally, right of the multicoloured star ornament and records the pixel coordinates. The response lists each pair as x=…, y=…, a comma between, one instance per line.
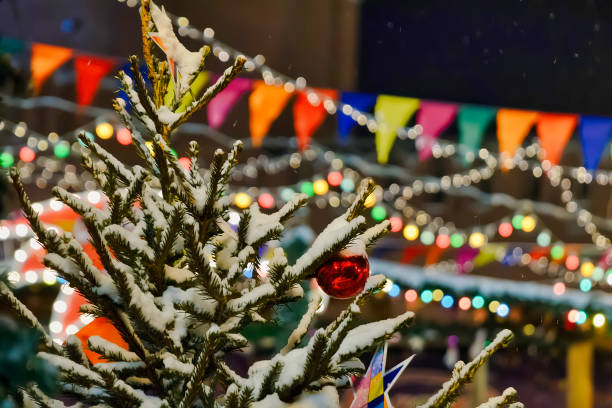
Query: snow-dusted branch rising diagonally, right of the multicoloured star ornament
x=464, y=373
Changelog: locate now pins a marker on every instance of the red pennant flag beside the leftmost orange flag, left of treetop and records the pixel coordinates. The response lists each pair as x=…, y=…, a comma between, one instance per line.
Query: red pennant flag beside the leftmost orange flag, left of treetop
x=89, y=72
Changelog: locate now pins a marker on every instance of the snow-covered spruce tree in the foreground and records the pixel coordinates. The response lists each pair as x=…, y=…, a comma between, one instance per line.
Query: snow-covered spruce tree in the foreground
x=172, y=282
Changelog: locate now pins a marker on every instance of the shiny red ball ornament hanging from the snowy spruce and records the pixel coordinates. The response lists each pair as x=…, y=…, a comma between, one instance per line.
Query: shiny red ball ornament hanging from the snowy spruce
x=344, y=276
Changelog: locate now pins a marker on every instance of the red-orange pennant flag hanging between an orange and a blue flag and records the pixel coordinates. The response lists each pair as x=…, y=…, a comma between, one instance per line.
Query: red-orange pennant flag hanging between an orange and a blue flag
x=308, y=116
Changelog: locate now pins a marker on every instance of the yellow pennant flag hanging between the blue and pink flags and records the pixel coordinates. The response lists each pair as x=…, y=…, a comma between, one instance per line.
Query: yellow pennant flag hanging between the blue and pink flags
x=391, y=113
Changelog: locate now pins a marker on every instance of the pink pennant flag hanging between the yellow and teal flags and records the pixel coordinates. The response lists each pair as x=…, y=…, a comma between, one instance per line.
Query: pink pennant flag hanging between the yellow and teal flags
x=434, y=117
